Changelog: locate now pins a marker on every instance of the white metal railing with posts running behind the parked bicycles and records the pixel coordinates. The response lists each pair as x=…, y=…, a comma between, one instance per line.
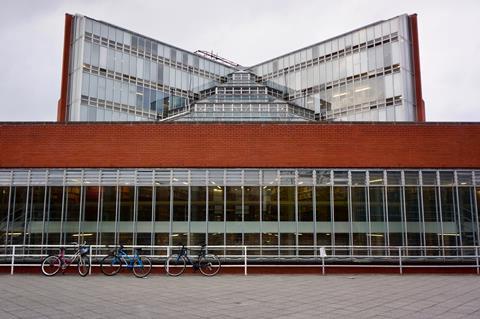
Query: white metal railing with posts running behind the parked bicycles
x=247, y=256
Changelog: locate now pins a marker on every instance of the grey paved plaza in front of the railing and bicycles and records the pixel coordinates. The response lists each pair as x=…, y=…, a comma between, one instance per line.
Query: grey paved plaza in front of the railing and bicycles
x=235, y=296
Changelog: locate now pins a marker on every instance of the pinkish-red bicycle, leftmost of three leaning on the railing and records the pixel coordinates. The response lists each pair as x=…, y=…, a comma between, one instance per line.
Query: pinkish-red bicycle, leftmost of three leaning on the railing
x=52, y=264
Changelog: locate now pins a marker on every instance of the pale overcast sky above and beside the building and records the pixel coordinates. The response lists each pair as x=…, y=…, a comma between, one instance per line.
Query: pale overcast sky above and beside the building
x=247, y=32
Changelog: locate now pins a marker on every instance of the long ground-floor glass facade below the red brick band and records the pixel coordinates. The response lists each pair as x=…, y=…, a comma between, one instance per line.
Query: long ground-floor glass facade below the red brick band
x=266, y=208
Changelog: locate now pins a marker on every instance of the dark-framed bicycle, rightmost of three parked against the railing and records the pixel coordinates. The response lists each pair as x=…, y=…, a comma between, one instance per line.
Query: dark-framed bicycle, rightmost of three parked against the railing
x=208, y=264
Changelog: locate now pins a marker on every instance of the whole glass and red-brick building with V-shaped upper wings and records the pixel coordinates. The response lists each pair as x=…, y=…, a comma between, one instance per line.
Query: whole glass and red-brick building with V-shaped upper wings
x=229, y=155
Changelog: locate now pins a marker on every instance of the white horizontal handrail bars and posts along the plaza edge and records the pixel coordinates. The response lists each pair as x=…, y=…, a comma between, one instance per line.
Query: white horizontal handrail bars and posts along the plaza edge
x=320, y=254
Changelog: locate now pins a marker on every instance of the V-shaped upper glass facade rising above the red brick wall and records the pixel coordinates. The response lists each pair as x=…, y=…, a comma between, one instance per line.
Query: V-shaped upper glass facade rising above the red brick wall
x=118, y=75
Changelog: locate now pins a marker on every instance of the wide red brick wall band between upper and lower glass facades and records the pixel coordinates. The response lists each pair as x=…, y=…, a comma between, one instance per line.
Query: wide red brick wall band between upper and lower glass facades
x=426, y=145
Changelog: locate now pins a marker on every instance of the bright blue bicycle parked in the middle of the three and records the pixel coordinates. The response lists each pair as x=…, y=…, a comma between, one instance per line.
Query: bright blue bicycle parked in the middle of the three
x=118, y=259
